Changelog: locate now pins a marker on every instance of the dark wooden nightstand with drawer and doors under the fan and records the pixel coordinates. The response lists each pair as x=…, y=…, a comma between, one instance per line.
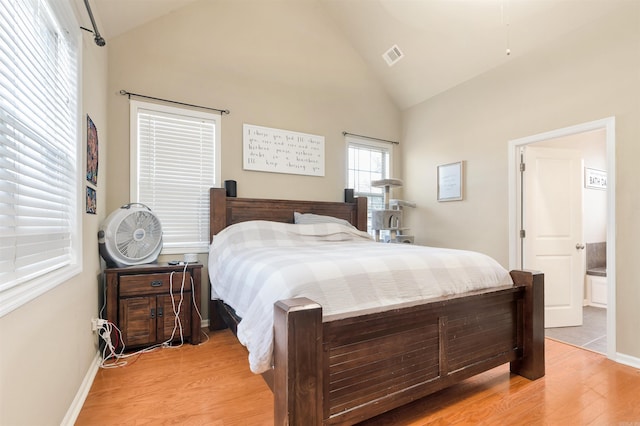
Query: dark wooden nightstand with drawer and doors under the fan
x=140, y=302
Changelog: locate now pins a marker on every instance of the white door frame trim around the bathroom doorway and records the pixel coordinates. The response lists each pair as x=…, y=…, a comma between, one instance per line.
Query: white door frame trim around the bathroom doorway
x=608, y=124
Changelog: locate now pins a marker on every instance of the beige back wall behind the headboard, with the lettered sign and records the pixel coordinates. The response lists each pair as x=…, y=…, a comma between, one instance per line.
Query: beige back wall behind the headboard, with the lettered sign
x=280, y=64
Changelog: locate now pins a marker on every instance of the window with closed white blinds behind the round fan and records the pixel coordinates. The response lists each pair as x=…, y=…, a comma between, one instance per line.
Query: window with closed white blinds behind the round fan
x=174, y=161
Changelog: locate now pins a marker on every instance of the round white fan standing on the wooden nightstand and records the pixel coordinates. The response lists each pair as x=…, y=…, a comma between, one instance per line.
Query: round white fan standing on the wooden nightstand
x=130, y=235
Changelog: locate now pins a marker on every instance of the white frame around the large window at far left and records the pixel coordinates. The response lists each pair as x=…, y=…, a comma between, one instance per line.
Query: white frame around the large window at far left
x=30, y=287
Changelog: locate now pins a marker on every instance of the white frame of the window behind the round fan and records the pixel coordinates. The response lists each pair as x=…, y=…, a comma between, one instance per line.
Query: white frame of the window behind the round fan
x=135, y=107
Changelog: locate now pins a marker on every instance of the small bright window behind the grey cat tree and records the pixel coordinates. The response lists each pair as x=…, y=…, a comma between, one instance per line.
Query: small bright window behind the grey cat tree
x=368, y=161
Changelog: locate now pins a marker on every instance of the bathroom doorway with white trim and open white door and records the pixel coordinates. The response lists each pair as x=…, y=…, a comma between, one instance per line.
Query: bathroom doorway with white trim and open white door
x=579, y=288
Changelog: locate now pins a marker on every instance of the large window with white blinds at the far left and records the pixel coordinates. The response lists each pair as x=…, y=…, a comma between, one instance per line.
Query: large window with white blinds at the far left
x=40, y=183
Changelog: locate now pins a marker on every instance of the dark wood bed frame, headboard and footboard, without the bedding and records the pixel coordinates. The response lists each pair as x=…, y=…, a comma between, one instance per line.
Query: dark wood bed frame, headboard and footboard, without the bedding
x=346, y=367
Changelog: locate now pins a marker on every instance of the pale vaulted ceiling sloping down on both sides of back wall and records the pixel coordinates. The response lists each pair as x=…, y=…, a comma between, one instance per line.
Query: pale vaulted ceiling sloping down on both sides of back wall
x=443, y=42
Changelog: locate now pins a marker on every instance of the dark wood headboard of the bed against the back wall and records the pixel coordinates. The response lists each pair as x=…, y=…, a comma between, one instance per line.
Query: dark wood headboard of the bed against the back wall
x=225, y=211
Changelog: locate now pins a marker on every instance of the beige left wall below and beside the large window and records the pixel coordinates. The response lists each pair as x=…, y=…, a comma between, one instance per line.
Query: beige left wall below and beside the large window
x=47, y=345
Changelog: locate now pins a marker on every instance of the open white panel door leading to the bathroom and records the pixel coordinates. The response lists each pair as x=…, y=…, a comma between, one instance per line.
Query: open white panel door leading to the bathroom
x=553, y=230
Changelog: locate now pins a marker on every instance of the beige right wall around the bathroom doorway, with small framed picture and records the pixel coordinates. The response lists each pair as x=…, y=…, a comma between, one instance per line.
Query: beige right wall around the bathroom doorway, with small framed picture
x=588, y=75
